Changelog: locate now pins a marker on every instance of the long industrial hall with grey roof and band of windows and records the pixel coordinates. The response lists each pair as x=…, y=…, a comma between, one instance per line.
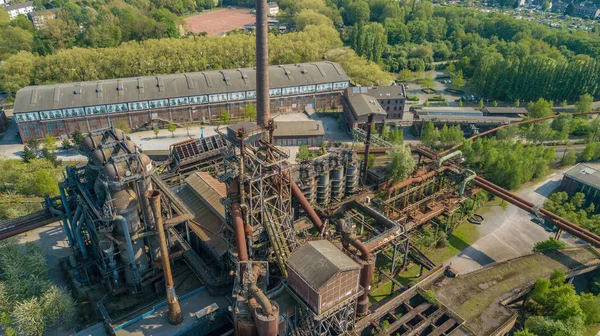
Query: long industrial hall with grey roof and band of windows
x=142, y=102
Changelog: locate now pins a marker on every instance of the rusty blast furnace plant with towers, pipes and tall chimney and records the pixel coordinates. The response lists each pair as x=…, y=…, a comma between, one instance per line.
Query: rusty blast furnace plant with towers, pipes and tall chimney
x=226, y=236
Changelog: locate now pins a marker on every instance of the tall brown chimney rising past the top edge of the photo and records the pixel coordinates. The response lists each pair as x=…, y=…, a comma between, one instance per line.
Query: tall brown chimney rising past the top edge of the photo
x=263, y=114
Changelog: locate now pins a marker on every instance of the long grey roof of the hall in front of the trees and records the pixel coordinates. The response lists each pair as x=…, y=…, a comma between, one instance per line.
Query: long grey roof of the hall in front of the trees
x=136, y=89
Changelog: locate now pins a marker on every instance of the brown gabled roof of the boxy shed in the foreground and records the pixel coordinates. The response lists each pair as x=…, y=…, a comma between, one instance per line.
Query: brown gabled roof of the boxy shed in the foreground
x=318, y=261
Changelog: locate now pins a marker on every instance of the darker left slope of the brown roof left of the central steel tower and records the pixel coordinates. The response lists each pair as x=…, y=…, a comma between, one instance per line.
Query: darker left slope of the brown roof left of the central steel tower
x=206, y=225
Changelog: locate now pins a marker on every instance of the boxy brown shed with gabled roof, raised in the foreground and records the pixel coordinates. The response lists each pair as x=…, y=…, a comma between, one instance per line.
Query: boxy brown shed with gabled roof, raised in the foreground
x=322, y=275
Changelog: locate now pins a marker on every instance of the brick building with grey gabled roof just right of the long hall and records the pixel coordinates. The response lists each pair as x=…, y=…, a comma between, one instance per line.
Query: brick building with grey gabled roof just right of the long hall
x=386, y=102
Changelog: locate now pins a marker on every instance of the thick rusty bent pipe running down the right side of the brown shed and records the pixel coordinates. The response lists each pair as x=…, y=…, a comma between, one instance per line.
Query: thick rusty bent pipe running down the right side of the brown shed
x=366, y=274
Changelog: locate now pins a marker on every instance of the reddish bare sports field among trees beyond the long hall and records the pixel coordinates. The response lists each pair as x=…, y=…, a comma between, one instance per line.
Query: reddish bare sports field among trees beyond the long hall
x=220, y=21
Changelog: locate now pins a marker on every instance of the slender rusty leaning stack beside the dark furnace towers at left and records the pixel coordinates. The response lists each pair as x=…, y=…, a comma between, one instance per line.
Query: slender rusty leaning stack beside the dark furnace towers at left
x=175, y=316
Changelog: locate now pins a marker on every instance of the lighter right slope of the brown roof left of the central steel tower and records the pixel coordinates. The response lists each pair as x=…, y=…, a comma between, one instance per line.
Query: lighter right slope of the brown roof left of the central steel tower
x=209, y=190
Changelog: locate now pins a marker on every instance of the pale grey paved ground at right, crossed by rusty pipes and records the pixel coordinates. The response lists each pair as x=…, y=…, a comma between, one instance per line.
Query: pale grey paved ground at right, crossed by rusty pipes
x=510, y=233
